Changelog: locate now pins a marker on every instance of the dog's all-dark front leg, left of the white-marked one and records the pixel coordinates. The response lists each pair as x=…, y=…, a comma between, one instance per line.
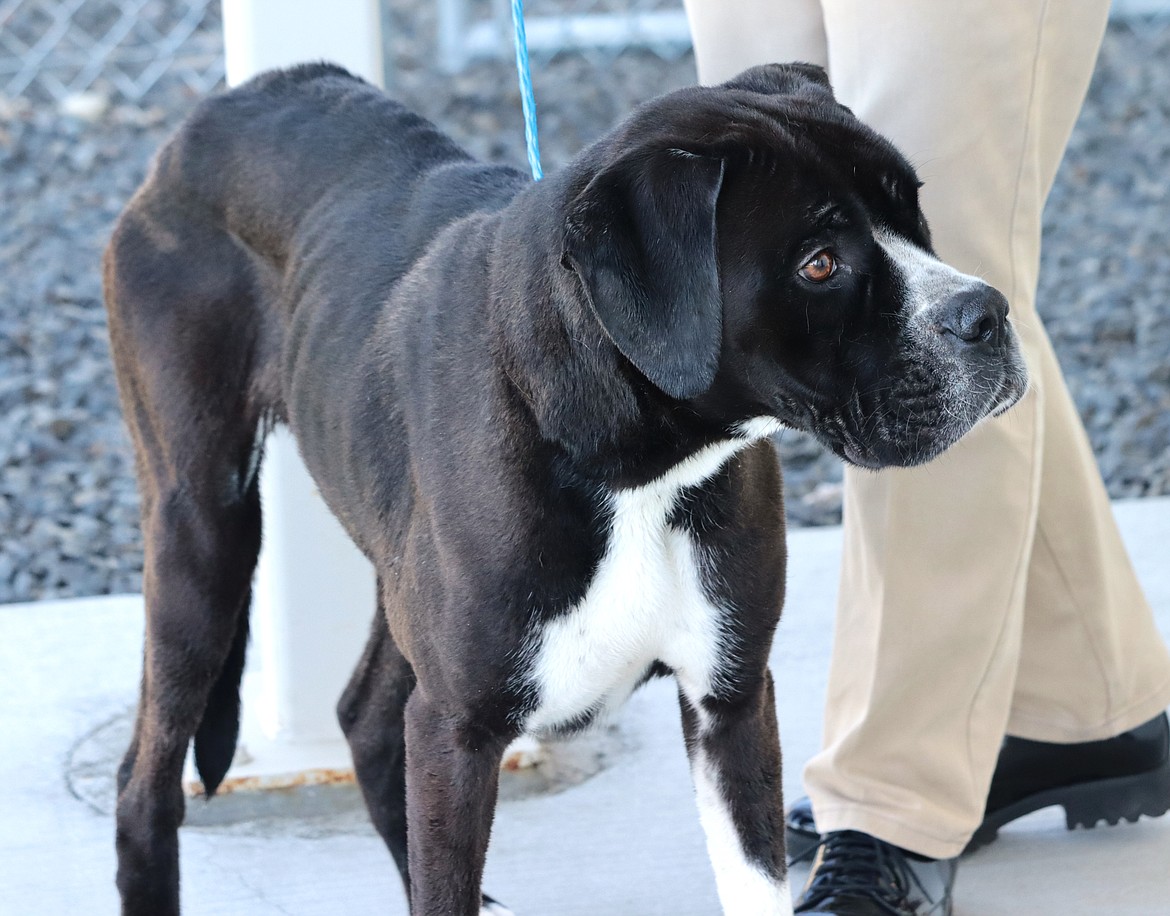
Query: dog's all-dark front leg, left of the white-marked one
x=452, y=779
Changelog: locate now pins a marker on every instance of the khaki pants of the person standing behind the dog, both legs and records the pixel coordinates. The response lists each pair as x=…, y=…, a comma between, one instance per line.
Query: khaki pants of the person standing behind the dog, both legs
x=945, y=573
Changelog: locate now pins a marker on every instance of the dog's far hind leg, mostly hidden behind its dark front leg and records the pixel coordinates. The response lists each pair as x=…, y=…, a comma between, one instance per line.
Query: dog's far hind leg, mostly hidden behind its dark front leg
x=373, y=717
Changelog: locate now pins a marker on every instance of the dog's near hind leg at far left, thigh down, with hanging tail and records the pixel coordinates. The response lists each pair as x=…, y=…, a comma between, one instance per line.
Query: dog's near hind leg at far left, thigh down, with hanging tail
x=183, y=332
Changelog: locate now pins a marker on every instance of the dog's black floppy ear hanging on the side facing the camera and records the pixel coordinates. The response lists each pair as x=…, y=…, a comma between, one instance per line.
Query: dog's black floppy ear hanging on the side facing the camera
x=642, y=238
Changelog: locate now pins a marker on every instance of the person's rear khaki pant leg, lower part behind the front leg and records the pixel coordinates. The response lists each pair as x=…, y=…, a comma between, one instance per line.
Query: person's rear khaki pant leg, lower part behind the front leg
x=1092, y=663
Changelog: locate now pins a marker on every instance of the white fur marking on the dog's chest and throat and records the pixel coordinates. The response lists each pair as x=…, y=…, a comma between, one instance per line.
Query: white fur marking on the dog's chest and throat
x=646, y=603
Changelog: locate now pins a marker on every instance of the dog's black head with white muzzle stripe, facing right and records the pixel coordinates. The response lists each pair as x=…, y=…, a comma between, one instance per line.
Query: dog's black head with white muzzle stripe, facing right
x=754, y=250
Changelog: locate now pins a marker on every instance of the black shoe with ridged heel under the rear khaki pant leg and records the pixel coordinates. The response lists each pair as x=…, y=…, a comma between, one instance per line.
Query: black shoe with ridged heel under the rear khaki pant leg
x=1123, y=777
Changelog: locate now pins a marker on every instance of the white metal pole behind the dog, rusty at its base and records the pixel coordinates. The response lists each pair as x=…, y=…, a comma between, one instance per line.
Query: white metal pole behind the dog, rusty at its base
x=315, y=593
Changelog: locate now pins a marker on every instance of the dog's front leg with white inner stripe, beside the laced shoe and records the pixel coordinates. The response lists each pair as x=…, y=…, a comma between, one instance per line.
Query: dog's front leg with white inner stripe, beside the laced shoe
x=735, y=761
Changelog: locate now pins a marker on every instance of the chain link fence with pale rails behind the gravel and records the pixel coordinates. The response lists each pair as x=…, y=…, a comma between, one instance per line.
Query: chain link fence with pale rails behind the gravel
x=51, y=50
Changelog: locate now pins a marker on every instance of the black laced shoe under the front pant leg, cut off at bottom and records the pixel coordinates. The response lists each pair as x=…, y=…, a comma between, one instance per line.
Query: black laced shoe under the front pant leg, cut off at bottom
x=856, y=874
